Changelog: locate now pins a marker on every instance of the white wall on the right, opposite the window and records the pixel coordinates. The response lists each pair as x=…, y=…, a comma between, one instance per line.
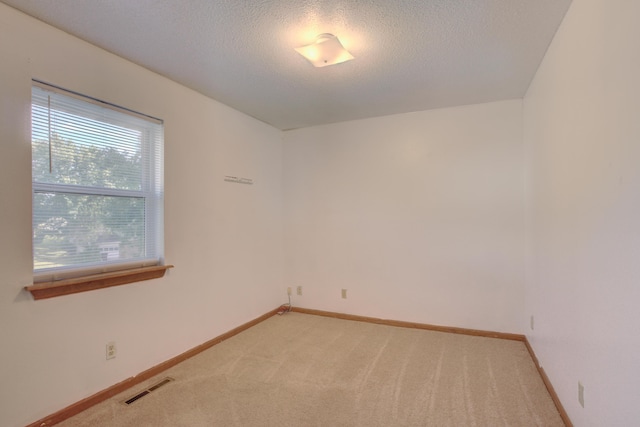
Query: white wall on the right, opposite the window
x=582, y=132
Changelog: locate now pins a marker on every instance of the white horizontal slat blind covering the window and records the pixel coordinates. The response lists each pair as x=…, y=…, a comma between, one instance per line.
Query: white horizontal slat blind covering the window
x=97, y=174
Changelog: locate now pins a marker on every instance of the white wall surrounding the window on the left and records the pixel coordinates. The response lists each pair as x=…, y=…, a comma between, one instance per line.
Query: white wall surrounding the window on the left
x=224, y=239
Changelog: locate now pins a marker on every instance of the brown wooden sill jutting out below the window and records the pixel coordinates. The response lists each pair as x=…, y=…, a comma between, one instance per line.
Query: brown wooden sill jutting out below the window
x=95, y=281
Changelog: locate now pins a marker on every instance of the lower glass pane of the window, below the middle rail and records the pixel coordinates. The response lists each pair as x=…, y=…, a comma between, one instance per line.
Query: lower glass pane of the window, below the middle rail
x=76, y=229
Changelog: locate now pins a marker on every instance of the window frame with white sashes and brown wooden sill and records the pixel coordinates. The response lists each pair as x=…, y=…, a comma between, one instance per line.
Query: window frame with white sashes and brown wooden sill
x=55, y=281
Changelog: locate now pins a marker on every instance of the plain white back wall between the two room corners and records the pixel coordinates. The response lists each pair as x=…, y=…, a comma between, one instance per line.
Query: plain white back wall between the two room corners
x=419, y=216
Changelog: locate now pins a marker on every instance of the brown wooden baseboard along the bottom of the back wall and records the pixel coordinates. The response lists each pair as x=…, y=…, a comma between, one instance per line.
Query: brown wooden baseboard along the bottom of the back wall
x=452, y=330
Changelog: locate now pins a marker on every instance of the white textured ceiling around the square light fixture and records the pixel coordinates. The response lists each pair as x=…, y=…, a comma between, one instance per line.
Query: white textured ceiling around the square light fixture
x=410, y=55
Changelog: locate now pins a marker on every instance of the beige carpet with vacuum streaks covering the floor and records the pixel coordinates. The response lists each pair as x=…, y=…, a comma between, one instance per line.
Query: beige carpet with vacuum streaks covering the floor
x=304, y=370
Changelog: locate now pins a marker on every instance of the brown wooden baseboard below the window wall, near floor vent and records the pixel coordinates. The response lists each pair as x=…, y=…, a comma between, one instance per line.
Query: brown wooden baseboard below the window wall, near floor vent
x=105, y=394
